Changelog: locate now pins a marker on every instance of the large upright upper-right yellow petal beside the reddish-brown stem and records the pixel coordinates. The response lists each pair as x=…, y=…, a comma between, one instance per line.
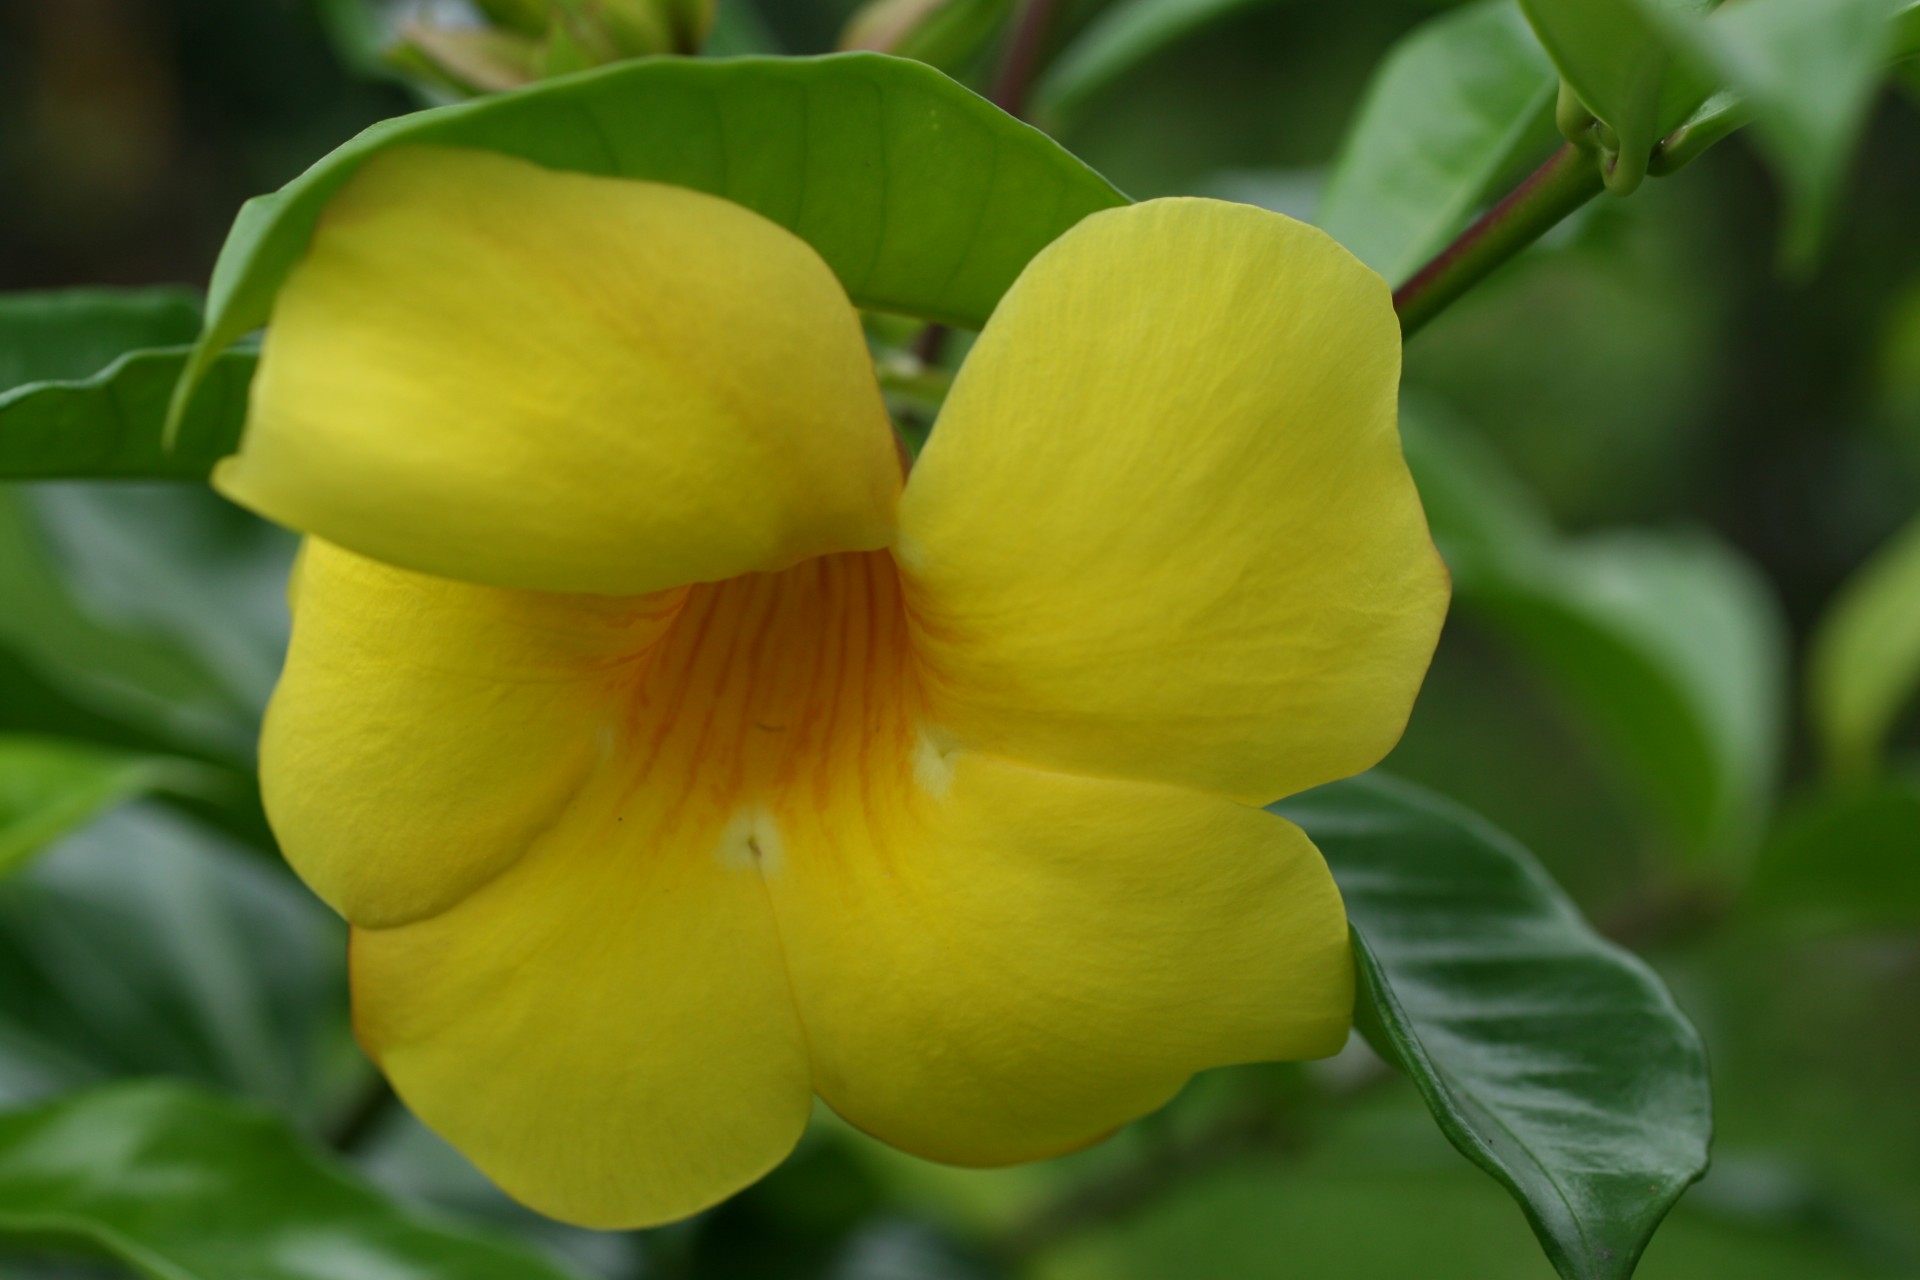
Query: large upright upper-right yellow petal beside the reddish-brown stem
x=1163, y=529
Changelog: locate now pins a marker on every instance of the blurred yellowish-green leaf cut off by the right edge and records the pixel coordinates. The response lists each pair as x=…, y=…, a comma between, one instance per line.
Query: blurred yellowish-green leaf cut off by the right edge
x=1865, y=657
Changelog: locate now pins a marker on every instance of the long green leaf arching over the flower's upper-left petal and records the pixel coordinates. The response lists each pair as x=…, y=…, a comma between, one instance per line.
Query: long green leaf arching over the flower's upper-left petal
x=923, y=197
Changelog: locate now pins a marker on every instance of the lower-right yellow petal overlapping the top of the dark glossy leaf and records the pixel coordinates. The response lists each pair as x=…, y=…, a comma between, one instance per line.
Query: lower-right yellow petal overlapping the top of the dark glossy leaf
x=1009, y=964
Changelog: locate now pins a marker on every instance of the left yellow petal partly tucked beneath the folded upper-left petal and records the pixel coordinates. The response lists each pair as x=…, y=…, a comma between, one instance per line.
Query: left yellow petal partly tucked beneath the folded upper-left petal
x=425, y=732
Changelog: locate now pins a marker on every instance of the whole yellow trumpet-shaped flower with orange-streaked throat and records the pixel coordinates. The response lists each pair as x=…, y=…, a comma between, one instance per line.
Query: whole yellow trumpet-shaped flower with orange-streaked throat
x=679, y=763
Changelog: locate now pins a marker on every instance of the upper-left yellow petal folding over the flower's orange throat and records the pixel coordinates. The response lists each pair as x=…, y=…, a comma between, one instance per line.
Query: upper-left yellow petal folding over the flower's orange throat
x=529, y=379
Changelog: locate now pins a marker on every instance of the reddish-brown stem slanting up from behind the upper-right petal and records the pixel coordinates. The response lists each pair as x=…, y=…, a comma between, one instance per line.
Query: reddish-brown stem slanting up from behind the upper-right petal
x=1556, y=189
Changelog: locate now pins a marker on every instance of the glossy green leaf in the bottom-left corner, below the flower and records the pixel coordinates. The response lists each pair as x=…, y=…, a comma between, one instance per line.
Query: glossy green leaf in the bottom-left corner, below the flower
x=189, y=1187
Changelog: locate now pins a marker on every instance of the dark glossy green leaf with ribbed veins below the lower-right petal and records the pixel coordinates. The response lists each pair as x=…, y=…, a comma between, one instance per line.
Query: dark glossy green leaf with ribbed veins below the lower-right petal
x=1552, y=1058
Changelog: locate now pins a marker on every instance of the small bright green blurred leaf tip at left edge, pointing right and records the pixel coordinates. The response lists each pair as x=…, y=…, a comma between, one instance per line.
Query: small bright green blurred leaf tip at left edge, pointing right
x=51, y=788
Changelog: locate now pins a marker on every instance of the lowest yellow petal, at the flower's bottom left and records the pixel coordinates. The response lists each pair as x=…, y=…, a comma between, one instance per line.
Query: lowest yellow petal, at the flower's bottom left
x=604, y=1030
